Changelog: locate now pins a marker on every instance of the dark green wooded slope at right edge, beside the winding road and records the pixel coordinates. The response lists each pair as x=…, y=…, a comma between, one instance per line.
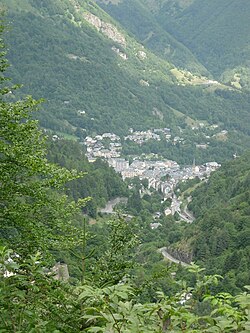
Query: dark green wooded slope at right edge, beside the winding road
x=222, y=227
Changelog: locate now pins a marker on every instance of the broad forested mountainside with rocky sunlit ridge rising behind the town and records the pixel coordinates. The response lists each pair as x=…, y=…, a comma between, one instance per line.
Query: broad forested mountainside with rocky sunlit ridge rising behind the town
x=95, y=77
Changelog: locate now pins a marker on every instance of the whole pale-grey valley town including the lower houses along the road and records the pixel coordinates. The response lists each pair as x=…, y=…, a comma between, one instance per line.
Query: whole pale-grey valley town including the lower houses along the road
x=160, y=174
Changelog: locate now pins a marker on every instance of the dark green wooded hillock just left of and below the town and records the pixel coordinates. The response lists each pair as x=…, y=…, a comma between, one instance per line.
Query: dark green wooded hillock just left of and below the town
x=100, y=182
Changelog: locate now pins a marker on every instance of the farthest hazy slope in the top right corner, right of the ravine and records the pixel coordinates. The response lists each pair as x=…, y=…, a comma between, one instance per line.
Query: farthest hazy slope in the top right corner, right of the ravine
x=217, y=32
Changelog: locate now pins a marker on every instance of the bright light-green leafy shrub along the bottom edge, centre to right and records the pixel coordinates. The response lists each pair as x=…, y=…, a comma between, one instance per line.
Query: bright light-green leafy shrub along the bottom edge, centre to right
x=114, y=309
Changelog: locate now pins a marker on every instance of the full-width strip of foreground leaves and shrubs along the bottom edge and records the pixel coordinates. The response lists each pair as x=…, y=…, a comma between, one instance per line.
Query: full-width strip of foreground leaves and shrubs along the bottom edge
x=32, y=301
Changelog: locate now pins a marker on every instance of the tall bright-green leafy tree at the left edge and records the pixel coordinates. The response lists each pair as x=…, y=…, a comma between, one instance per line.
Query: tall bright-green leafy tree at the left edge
x=33, y=216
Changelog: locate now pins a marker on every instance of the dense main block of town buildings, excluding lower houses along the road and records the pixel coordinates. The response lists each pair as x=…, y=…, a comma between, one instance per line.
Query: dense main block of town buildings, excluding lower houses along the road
x=161, y=174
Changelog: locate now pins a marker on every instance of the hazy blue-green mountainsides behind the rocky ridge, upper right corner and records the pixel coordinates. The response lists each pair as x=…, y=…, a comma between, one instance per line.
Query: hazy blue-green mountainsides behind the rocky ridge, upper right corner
x=193, y=33
